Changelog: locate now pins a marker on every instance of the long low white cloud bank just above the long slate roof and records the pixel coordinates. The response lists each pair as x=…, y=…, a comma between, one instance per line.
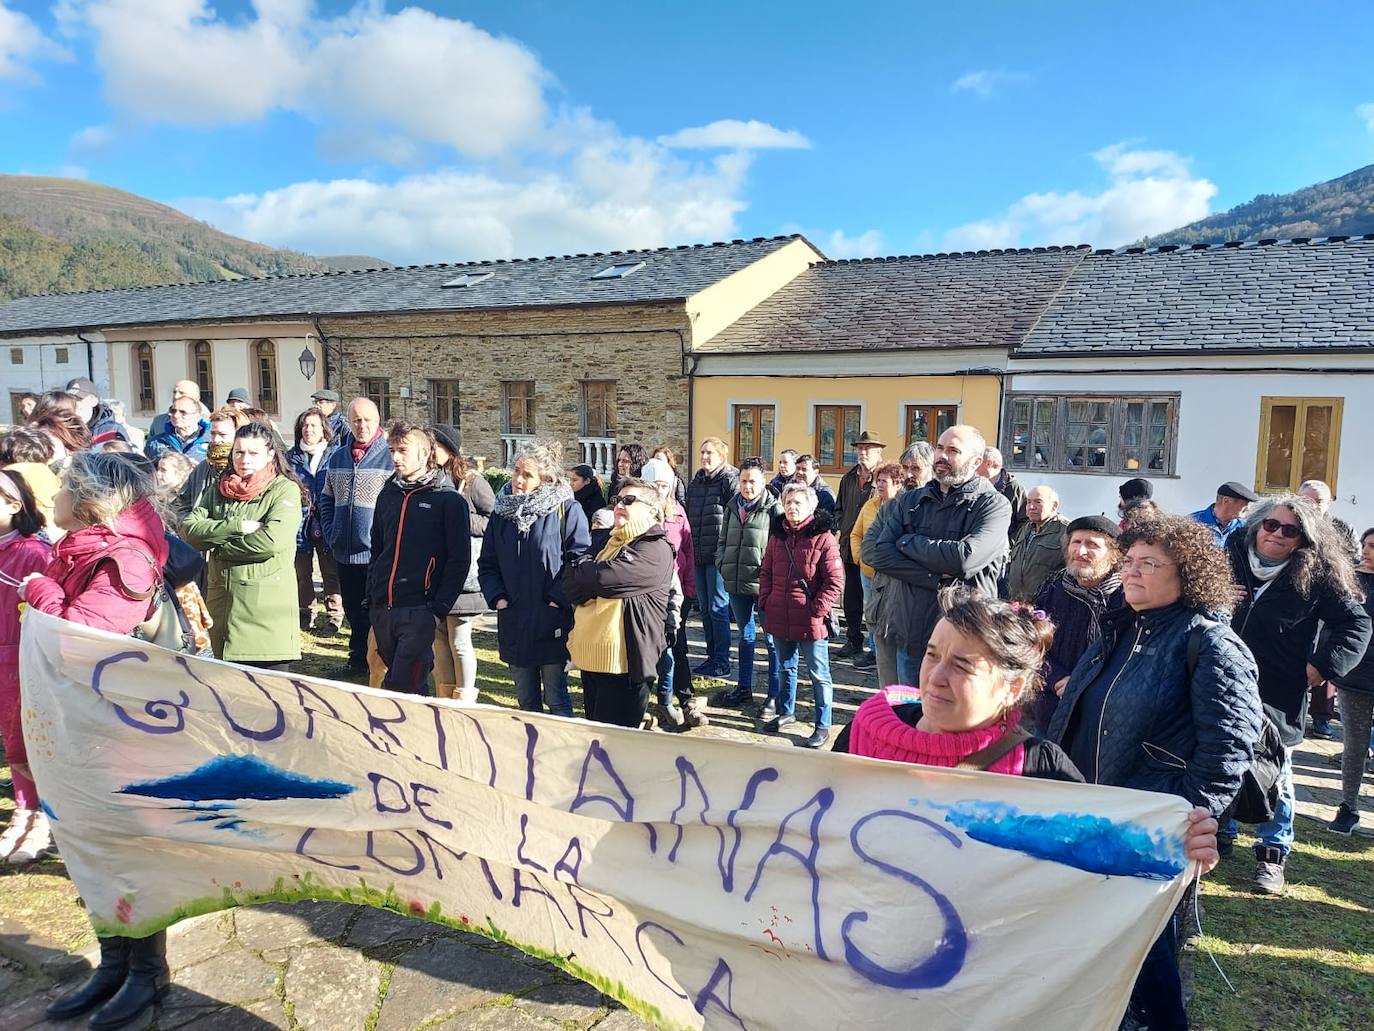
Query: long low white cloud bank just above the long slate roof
x=618, y=195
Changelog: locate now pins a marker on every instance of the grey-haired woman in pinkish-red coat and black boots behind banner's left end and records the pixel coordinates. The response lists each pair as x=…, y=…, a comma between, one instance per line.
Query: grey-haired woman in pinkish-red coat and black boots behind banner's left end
x=106, y=574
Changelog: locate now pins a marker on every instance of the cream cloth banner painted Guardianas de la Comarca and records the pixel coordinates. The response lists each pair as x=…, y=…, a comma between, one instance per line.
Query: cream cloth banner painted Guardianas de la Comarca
x=701, y=882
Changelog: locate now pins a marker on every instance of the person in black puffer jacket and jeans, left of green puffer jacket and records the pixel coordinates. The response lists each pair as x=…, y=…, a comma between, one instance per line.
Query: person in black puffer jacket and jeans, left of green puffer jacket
x=708, y=494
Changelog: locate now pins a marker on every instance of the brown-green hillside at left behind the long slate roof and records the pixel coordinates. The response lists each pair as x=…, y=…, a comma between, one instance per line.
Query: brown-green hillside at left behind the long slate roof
x=65, y=234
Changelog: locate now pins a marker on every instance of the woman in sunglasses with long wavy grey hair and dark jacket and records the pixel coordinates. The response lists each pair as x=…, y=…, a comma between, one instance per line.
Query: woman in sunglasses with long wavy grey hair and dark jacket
x=1294, y=578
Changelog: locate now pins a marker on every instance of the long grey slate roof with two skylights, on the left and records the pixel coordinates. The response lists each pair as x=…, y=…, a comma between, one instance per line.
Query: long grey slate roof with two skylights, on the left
x=668, y=274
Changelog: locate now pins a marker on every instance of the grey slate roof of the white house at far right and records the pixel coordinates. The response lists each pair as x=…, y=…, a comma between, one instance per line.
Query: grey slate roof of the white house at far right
x=1270, y=296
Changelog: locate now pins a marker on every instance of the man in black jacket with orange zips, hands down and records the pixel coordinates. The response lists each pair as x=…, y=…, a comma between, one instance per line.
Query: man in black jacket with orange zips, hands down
x=421, y=553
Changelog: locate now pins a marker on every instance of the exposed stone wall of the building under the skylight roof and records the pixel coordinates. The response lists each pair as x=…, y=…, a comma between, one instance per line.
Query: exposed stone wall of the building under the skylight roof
x=640, y=347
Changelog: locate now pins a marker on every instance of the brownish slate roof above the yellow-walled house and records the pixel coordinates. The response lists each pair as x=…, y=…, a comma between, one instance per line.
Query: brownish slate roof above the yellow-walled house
x=984, y=299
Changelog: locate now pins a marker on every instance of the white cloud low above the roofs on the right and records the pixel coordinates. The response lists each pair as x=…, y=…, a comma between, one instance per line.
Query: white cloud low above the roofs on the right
x=1148, y=192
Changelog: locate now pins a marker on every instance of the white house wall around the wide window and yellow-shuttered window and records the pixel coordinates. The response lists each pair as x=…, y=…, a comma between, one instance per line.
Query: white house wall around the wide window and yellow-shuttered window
x=1219, y=425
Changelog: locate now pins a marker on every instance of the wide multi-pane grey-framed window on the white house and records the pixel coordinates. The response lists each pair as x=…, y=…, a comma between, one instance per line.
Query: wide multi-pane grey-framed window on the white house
x=1108, y=435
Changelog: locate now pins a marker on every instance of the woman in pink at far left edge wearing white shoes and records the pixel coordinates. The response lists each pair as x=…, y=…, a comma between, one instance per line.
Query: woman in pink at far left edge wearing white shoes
x=23, y=552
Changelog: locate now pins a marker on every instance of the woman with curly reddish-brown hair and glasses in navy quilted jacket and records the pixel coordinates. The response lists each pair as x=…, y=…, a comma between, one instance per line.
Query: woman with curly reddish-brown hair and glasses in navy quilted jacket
x=1166, y=700
